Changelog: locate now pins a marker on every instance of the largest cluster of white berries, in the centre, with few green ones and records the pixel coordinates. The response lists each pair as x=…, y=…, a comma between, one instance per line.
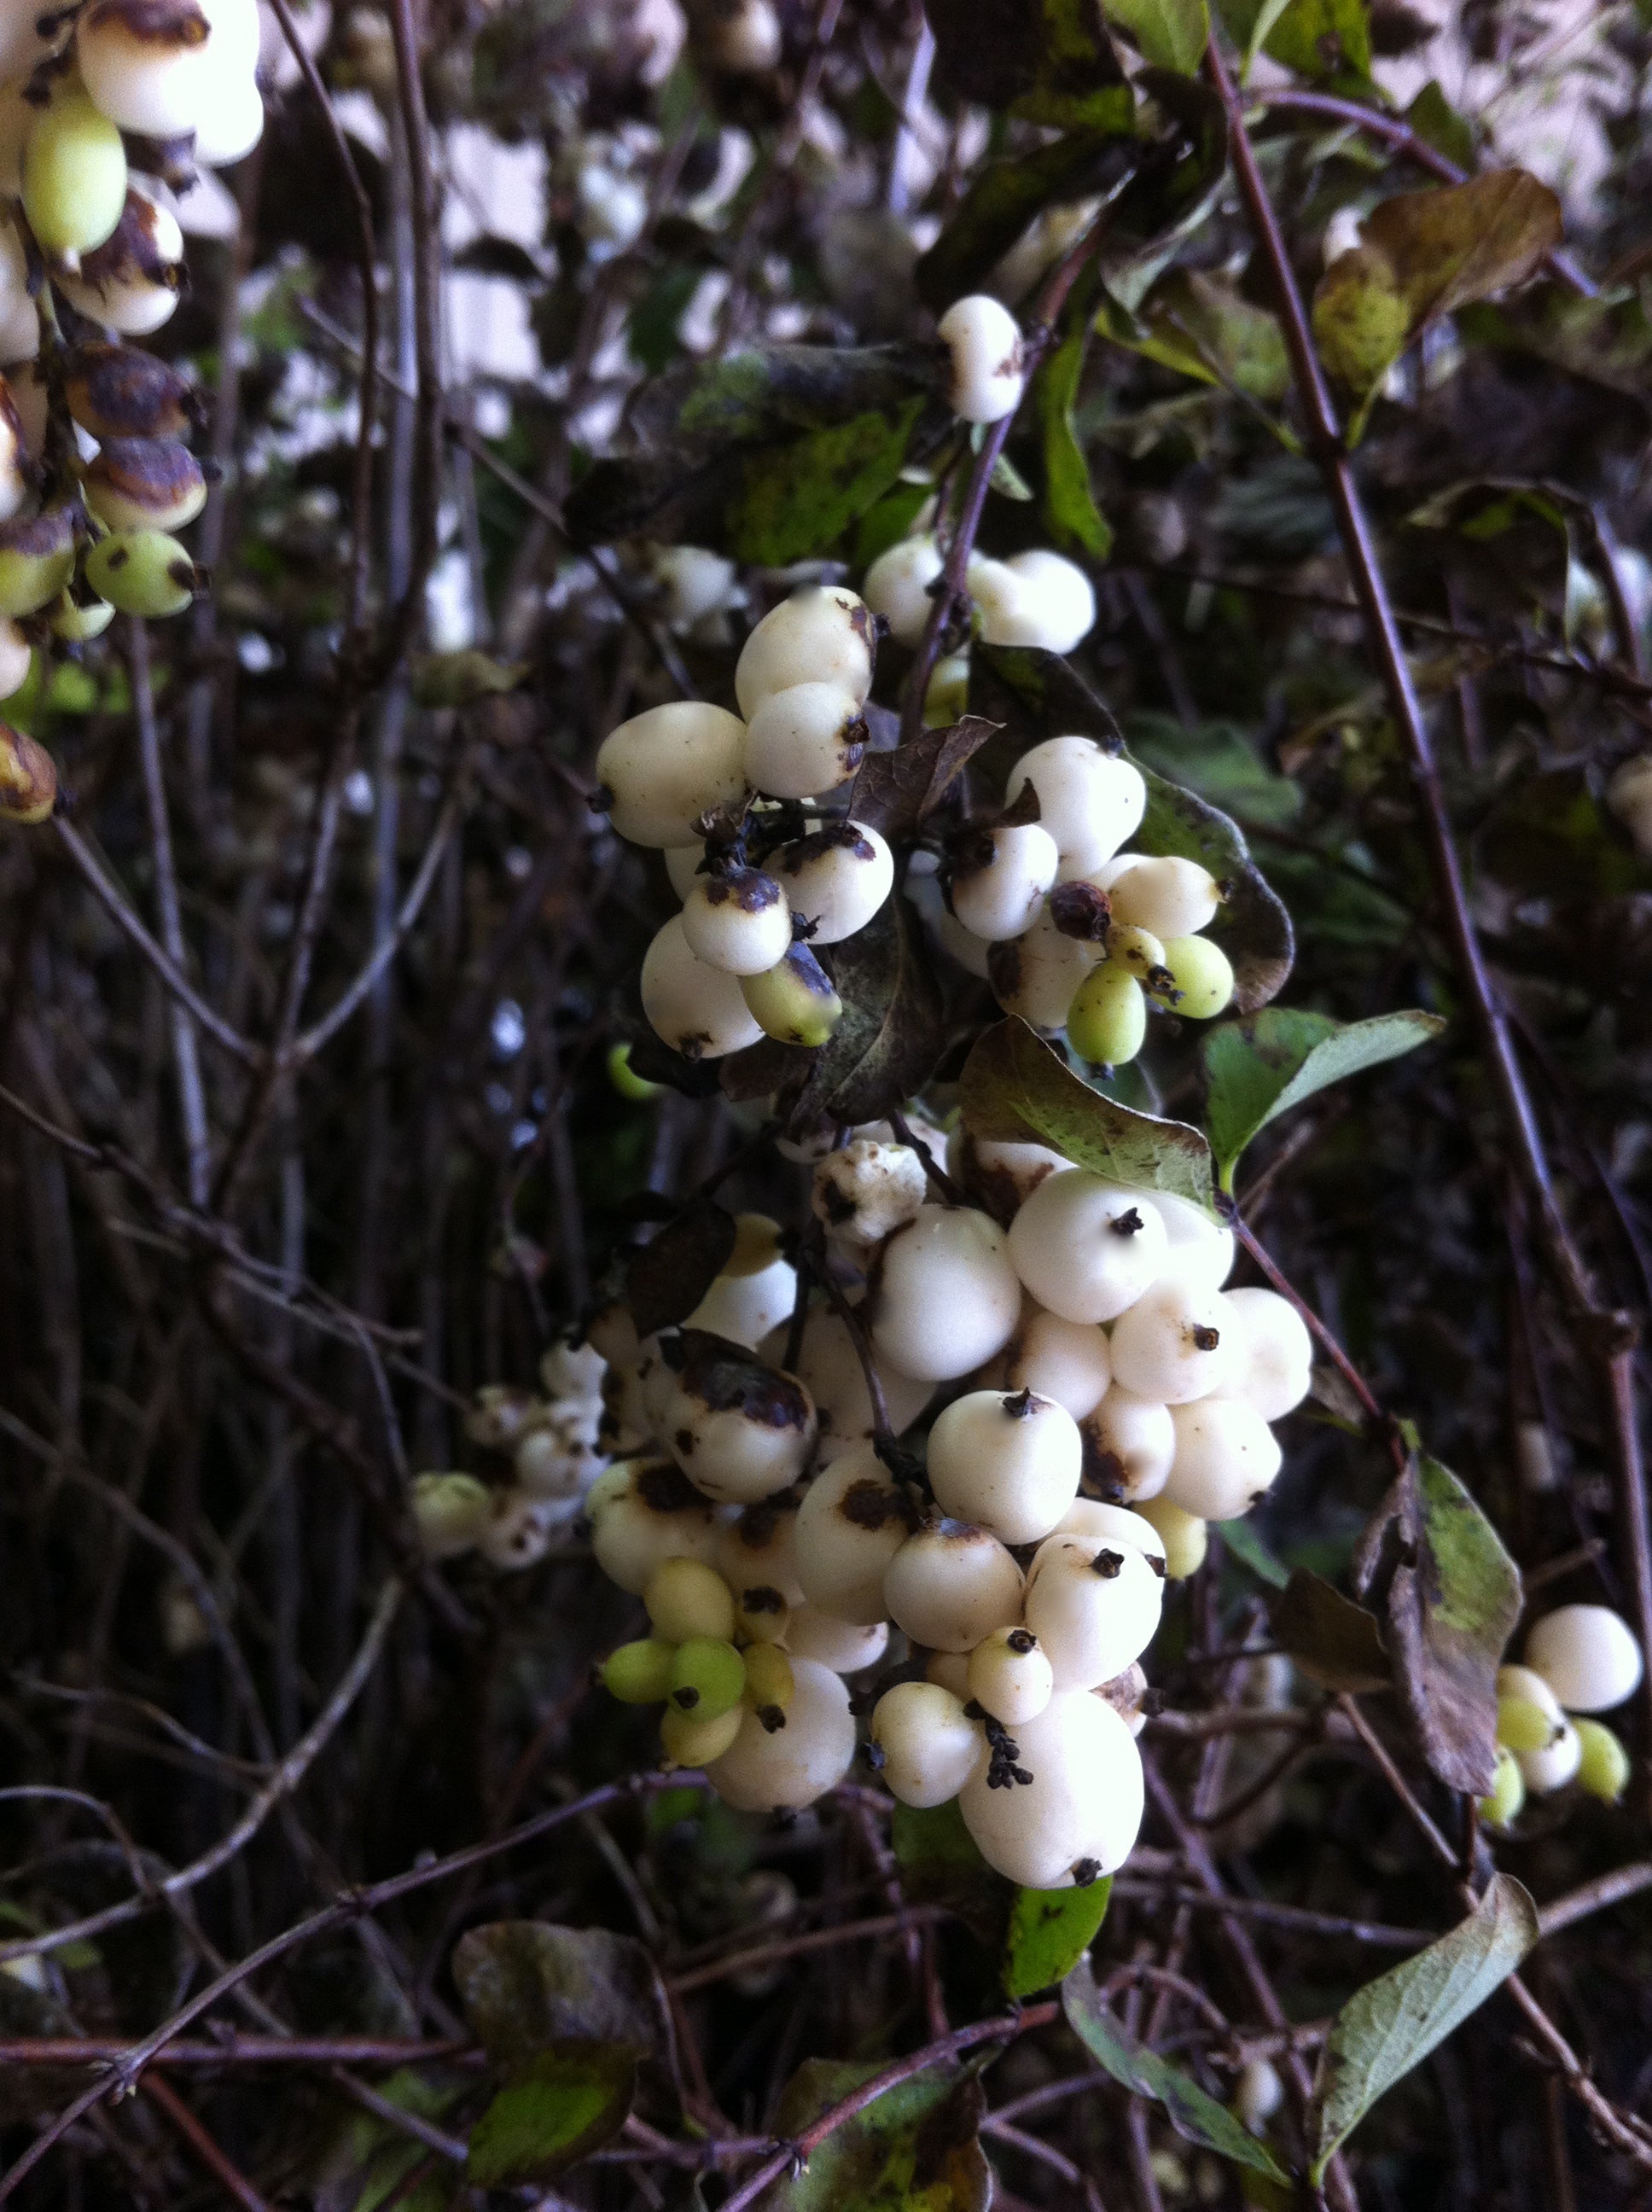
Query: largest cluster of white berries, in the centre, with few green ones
x=1091, y=1397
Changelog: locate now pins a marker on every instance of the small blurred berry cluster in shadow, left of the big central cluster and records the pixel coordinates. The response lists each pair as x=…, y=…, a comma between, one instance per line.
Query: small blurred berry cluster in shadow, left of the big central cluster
x=554, y=1446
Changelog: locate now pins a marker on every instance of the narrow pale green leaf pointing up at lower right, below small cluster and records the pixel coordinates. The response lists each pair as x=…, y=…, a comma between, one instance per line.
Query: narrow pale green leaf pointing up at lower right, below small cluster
x=1394, y=2023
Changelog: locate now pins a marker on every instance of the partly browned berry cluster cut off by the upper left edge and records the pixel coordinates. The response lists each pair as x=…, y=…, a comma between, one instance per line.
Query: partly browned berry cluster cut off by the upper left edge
x=94, y=468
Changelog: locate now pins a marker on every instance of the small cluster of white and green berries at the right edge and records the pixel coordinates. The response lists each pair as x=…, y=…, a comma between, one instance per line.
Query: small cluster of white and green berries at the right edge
x=1580, y=1660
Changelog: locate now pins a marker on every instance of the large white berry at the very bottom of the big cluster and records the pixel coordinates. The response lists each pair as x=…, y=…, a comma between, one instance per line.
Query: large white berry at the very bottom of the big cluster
x=1078, y=1815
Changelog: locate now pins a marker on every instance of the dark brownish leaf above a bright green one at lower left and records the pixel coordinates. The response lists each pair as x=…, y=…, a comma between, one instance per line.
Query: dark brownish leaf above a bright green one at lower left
x=530, y=1987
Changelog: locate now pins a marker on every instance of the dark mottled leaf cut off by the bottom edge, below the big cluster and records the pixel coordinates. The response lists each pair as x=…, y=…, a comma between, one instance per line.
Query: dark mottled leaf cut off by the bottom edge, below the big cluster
x=917, y=2149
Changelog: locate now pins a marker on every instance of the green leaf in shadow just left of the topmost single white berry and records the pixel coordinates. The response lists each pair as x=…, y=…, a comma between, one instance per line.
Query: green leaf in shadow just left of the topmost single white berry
x=799, y=499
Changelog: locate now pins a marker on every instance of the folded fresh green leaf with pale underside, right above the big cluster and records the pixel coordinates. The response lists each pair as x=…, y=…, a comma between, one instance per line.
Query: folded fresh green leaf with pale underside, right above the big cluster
x=1282, y=1056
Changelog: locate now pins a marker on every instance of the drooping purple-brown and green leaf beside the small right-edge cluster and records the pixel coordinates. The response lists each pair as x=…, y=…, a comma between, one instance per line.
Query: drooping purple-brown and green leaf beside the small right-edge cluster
x=1450, y=1598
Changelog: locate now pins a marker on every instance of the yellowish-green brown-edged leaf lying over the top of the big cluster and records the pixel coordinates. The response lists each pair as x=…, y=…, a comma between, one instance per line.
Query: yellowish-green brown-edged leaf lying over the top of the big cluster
x=1016, y=1089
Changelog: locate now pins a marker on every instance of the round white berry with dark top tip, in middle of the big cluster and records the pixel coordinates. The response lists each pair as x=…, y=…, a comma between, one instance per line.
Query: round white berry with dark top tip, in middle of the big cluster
x=1005, y=1461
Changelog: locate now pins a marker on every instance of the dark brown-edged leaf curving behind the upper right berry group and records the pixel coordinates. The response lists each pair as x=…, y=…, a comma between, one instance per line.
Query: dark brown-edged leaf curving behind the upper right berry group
x=1038, y=696
